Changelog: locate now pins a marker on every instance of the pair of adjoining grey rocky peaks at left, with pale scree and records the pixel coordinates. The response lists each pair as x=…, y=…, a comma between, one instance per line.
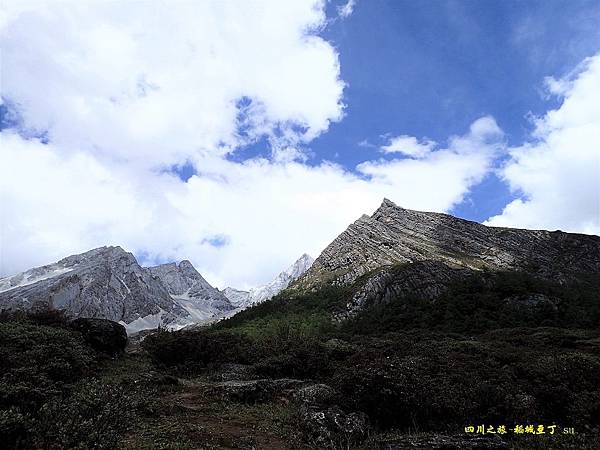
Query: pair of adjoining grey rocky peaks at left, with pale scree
x=108, y=283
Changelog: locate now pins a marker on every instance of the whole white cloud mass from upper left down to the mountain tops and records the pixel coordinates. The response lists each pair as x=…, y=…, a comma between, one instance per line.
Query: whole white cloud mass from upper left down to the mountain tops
x=125, y=91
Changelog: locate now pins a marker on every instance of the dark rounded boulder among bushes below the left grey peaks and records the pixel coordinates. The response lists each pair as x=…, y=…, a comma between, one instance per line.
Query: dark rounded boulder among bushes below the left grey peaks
x=102, y=334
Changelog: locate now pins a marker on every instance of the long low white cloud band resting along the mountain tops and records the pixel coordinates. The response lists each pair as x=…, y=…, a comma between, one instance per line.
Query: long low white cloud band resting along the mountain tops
x=268, y=212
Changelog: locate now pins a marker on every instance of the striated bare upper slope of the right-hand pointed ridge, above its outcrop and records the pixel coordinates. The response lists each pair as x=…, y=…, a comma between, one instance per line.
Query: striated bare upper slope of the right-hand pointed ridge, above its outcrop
x=394, y=235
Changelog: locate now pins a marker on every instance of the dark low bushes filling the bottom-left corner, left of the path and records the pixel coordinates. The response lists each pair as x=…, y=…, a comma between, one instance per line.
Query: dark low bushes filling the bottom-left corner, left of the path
x=50, y=396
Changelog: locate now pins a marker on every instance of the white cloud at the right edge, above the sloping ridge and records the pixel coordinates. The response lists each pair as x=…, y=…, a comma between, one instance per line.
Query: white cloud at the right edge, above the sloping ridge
x=557, y=174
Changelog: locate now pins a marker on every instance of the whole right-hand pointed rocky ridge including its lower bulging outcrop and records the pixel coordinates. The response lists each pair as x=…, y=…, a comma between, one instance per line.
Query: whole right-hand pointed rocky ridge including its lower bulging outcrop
x=399, y=253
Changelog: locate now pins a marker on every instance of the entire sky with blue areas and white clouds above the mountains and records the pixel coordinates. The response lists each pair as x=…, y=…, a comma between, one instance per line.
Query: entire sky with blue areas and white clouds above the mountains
x=270, y=126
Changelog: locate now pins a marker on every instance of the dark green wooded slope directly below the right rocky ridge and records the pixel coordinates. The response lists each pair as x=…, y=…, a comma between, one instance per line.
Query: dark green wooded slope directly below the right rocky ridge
x=487, y=301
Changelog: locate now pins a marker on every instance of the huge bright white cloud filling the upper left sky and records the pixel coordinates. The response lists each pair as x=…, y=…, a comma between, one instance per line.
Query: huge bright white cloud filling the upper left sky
x=160, y=84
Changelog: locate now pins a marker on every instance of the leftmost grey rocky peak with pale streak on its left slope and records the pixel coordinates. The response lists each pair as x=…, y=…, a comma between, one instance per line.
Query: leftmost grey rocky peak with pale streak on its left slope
x=106, y=282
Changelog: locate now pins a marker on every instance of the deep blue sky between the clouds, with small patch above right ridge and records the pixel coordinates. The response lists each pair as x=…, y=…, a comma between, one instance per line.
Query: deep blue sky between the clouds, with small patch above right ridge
x=431, y=68
